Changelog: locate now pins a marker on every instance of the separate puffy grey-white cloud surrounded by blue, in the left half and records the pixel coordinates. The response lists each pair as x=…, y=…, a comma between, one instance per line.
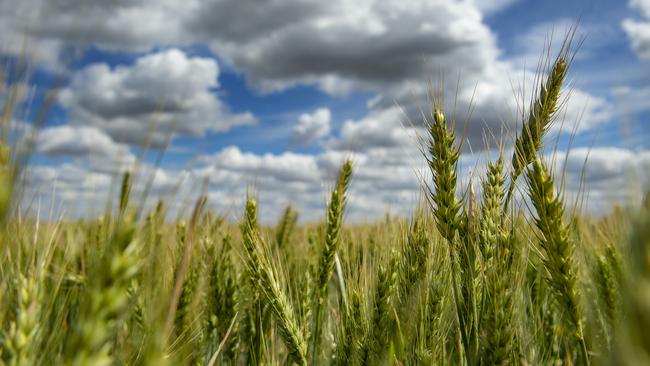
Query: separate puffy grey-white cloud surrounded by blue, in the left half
x=160, y=94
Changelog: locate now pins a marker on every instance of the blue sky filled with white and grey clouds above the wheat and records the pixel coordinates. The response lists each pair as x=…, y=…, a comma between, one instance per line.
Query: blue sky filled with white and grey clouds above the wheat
x=230, y=97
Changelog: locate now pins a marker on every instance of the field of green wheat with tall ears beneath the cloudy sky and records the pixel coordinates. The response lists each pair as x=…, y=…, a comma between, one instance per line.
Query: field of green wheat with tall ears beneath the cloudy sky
x=469, y=279
